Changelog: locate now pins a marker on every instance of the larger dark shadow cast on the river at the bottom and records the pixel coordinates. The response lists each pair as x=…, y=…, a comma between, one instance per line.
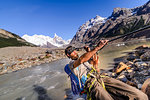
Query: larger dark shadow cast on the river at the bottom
x=42, y=93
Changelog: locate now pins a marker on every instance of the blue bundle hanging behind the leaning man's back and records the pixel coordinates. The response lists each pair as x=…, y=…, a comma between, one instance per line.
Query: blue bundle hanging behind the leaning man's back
x=75, y=86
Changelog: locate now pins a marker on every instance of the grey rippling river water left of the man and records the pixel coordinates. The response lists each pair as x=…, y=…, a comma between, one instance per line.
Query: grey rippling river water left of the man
x=44, y=82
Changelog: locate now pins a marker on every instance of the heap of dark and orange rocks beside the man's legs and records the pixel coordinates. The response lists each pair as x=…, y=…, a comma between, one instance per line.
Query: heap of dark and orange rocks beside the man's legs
x=134, y=69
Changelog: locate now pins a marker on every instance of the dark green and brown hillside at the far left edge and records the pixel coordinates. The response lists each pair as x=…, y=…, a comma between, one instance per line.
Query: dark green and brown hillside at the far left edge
x=11, y=39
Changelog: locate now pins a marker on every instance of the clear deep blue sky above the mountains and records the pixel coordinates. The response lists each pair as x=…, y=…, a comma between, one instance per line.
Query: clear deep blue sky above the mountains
x=62, y=17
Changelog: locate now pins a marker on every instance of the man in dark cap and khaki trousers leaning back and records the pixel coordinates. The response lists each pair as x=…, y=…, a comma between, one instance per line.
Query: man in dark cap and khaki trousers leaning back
x=112, y=89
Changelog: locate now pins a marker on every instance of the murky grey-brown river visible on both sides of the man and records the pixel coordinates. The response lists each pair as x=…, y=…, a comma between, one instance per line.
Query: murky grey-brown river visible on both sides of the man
x=49, y=81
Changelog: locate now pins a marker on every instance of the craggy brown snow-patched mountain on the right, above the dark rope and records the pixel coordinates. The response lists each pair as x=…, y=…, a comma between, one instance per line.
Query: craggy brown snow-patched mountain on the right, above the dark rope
x=121, y=21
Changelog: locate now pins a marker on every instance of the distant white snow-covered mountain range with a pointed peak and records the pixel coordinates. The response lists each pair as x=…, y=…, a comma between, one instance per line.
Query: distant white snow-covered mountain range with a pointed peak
x=46, y=41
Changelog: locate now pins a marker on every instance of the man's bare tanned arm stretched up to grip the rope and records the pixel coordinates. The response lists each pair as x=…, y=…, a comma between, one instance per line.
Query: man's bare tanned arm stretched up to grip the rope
x=86, y=56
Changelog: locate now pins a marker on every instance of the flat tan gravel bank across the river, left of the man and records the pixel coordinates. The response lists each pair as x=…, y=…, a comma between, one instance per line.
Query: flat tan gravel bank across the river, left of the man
x=16, y=58
